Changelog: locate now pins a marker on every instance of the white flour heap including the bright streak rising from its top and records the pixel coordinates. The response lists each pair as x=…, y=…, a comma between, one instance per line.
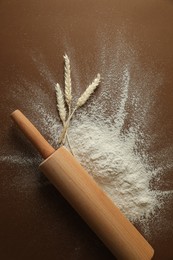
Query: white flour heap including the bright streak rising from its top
x=112, y=157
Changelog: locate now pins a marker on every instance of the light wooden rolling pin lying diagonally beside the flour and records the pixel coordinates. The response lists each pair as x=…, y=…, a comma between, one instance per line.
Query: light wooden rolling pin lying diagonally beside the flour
x=86, y=197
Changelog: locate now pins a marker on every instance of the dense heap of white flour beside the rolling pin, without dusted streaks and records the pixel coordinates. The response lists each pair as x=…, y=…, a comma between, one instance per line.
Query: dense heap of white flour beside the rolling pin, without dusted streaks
x=112, y=161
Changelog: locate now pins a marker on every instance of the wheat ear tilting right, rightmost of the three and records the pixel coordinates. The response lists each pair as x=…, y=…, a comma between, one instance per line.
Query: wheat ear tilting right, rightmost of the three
x=87, y=93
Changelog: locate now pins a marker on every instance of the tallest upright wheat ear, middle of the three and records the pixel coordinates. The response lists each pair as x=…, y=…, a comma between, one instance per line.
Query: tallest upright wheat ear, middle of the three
x=67, y=76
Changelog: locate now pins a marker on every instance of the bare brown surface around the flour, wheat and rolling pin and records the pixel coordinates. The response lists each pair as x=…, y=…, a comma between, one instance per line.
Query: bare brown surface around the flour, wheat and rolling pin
x=35, y=221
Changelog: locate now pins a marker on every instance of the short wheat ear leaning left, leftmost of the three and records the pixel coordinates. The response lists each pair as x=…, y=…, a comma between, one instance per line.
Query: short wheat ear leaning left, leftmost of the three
x=60, y=103
